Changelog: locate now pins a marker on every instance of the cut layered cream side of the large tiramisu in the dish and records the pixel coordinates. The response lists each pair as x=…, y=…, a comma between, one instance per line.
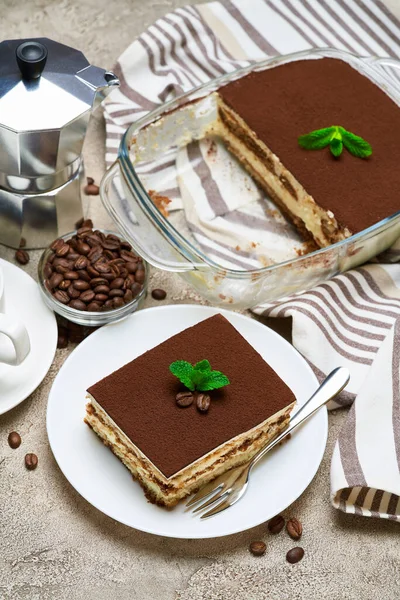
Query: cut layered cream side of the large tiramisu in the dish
x=264, y=166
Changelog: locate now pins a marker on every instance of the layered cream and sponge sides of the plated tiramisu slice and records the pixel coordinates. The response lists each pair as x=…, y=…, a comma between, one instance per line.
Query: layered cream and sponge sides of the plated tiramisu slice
x=167, y=491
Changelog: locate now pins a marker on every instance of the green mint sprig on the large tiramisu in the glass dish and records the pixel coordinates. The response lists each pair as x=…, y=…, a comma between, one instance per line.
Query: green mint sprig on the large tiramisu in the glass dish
x=337, y=138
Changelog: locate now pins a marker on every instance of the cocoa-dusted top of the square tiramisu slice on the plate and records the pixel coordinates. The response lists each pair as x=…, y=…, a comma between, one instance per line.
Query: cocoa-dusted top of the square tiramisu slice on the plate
x=140, y=397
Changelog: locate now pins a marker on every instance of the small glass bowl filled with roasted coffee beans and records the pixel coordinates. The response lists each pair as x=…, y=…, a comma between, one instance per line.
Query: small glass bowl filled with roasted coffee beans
x=92, y=277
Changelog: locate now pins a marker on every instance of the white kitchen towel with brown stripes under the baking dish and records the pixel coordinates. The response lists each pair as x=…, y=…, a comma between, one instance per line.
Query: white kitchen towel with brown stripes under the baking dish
x=352, y=320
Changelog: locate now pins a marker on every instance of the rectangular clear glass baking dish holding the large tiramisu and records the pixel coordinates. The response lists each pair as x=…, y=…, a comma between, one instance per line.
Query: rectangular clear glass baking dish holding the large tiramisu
x=150, y=158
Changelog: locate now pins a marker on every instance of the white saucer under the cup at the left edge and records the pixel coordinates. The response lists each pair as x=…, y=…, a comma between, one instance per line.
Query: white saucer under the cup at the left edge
x=22, y=300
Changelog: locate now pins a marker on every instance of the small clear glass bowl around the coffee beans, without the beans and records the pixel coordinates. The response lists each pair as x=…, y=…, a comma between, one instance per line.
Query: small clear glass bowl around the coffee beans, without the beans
x=89, y=319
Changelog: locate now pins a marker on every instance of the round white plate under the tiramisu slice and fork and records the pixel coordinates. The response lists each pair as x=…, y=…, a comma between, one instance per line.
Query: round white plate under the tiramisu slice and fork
x=103, y=480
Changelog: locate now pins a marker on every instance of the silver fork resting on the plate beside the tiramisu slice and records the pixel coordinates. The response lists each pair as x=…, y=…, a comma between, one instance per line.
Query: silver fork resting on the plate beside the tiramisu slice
x=228, y=488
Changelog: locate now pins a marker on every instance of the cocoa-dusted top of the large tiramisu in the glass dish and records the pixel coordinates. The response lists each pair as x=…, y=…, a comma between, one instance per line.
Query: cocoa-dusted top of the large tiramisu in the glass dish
x=293, y=99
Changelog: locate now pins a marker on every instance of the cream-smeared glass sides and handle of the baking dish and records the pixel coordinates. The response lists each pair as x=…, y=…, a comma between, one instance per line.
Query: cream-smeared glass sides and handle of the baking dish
x=167, y=243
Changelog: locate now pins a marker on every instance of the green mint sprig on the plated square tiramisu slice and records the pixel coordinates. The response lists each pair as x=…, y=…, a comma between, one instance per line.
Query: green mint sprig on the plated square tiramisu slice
x=199, y=377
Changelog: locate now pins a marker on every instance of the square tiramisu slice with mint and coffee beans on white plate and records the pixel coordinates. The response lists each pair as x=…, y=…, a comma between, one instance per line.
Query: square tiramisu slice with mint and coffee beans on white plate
x=174, y=440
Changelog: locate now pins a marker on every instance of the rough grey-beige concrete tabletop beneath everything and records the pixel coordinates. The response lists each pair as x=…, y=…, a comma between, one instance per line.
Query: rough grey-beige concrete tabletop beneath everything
x=54, y=545
